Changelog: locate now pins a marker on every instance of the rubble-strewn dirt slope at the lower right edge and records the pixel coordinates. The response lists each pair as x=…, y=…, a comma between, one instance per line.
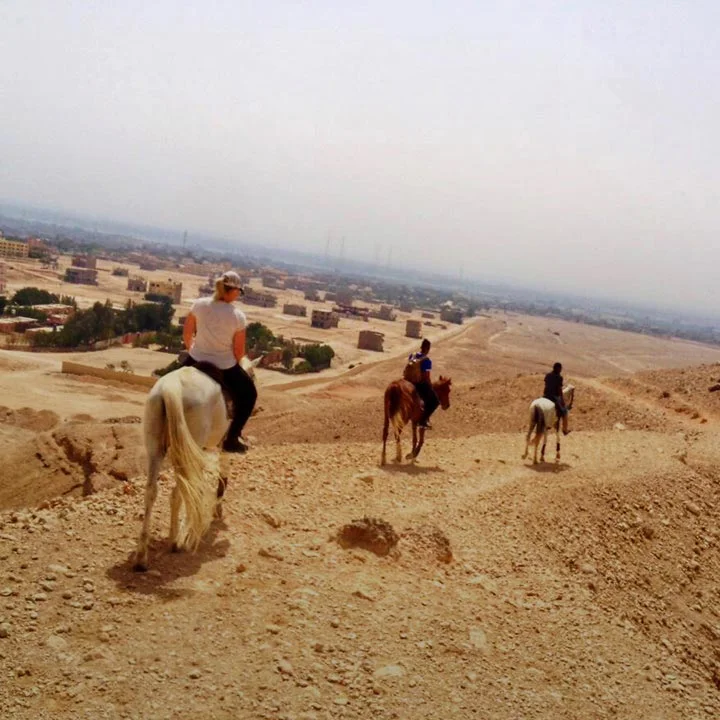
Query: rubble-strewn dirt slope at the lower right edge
x=649, y=547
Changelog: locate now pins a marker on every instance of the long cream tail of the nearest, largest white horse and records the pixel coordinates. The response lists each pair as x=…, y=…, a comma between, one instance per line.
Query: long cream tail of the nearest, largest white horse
x=190, y=462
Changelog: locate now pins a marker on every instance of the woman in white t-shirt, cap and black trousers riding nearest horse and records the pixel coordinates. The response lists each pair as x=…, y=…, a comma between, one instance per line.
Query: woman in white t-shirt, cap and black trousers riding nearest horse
x=214, y=332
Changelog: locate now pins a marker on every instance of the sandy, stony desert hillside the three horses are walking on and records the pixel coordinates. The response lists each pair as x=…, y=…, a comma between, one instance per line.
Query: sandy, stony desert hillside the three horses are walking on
x=585, y=588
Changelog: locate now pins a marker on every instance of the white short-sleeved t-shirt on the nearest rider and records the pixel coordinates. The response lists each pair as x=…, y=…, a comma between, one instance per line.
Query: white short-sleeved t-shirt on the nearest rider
x=217, y=323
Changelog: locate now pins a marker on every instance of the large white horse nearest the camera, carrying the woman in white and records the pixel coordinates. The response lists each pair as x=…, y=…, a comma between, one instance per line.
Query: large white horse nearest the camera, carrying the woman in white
x=185, y=412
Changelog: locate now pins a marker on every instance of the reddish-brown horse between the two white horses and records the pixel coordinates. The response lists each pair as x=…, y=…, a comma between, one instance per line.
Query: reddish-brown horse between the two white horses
x=403, y=405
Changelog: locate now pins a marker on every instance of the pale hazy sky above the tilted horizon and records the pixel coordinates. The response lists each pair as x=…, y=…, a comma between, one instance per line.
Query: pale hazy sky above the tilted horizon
x=568, y=144
